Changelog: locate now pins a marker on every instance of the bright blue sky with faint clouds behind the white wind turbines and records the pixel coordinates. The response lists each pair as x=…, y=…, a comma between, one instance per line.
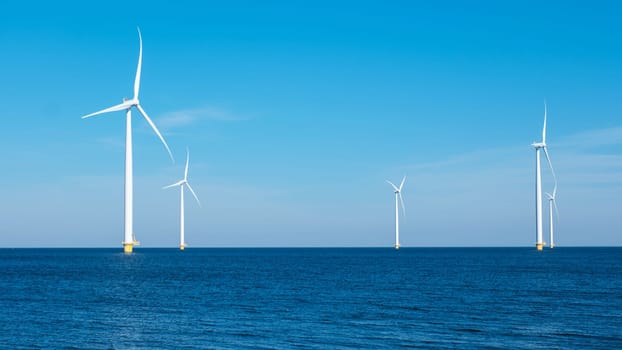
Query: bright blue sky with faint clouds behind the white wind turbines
x=295, y=114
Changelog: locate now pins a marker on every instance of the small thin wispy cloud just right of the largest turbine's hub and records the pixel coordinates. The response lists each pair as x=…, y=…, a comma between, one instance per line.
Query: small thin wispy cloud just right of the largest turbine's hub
x=191, y=116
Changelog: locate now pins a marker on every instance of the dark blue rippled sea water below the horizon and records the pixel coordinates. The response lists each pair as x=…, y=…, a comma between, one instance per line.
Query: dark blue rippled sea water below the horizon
x=311, y=298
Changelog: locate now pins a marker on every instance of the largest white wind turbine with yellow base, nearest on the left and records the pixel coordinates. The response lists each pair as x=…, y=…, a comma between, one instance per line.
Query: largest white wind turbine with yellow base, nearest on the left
x=129, y=239
